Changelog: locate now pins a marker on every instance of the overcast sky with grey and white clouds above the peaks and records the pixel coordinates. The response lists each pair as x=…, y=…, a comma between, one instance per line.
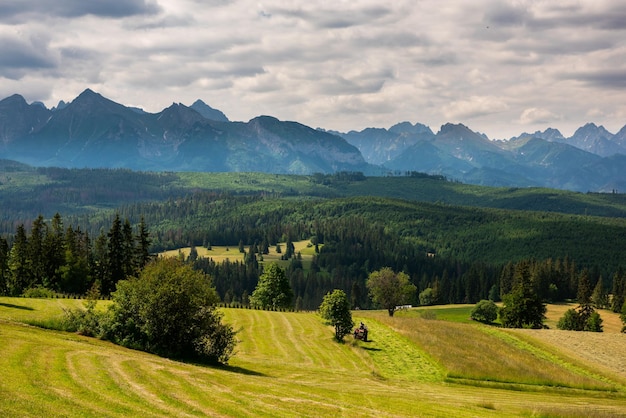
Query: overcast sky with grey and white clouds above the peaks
x=500, y=67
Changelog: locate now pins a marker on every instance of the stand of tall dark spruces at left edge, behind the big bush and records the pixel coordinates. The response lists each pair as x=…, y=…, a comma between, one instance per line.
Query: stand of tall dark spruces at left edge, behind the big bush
x=67, y=260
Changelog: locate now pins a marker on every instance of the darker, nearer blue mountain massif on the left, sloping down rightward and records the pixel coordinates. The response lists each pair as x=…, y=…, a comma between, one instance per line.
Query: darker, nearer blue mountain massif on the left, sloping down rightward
x=93, y=131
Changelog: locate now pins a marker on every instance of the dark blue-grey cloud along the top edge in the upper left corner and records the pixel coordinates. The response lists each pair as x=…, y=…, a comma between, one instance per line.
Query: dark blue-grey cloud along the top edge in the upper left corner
x=18, y=9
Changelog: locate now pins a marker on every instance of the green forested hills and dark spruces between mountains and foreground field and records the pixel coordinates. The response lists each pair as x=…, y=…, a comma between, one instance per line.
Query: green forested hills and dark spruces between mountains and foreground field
x=453, y=252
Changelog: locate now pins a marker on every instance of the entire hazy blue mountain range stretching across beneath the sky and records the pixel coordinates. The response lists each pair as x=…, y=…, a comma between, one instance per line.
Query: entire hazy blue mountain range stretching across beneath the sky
x=93, y=131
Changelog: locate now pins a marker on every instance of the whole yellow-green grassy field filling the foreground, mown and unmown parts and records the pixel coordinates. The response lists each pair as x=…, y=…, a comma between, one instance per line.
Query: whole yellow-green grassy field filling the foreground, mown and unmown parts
x=287, y=364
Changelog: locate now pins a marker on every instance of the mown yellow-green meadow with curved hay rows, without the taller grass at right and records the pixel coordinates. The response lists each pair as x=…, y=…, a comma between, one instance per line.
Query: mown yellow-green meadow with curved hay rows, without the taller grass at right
x=108, y=380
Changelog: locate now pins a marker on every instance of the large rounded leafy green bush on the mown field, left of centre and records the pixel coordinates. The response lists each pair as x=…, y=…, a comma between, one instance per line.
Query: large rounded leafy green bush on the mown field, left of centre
x=168, y=309
